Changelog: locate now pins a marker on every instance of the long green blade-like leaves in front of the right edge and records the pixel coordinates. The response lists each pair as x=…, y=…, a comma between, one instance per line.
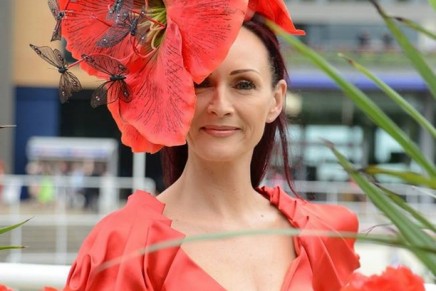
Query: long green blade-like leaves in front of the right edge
x=414, y=231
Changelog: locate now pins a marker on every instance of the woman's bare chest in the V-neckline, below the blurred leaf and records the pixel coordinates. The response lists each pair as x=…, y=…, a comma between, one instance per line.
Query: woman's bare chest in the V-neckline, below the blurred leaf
x=249, y=262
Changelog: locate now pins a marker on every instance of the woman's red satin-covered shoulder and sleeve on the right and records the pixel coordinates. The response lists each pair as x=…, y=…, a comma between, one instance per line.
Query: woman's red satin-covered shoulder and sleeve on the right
x=330, y=258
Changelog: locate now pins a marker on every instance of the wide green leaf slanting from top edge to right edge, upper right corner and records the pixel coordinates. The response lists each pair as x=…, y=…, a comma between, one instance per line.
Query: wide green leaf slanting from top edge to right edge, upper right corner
x=411, y=52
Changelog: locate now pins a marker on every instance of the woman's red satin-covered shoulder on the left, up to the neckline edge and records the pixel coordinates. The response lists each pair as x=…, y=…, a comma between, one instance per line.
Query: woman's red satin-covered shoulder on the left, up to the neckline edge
x=117, y=241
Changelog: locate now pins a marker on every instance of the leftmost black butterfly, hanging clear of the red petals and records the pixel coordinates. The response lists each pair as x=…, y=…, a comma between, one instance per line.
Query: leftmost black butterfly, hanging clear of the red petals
x=68, y=82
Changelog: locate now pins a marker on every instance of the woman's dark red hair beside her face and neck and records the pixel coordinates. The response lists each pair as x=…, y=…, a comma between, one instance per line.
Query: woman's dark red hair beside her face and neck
x=174, y=158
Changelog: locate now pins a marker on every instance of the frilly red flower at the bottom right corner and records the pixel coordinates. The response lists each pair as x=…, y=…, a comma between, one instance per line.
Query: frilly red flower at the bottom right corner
x=398, y=279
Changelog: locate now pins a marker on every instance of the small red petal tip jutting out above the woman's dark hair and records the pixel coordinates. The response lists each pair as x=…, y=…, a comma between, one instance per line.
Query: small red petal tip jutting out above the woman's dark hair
x=276, y=11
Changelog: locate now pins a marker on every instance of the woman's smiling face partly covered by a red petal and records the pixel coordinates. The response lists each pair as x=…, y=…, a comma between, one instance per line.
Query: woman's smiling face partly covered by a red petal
x=235, y=102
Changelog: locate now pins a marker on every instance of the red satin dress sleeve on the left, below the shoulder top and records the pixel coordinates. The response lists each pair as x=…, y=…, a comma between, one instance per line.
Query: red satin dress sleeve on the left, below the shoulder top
x=109, y=259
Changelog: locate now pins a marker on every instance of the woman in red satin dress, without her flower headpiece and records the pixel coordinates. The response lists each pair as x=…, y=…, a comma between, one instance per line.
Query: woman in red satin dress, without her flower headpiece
x=214, y=187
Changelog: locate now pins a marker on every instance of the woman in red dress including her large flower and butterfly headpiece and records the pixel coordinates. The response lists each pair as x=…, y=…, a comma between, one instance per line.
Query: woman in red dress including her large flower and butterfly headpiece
x=207, y=84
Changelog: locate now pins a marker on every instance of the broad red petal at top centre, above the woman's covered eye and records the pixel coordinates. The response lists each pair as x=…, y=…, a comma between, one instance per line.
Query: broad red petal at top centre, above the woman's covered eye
x=208, y=29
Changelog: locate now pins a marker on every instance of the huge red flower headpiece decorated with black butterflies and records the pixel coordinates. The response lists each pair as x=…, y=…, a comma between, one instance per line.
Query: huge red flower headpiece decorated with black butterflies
x=150, y=53
